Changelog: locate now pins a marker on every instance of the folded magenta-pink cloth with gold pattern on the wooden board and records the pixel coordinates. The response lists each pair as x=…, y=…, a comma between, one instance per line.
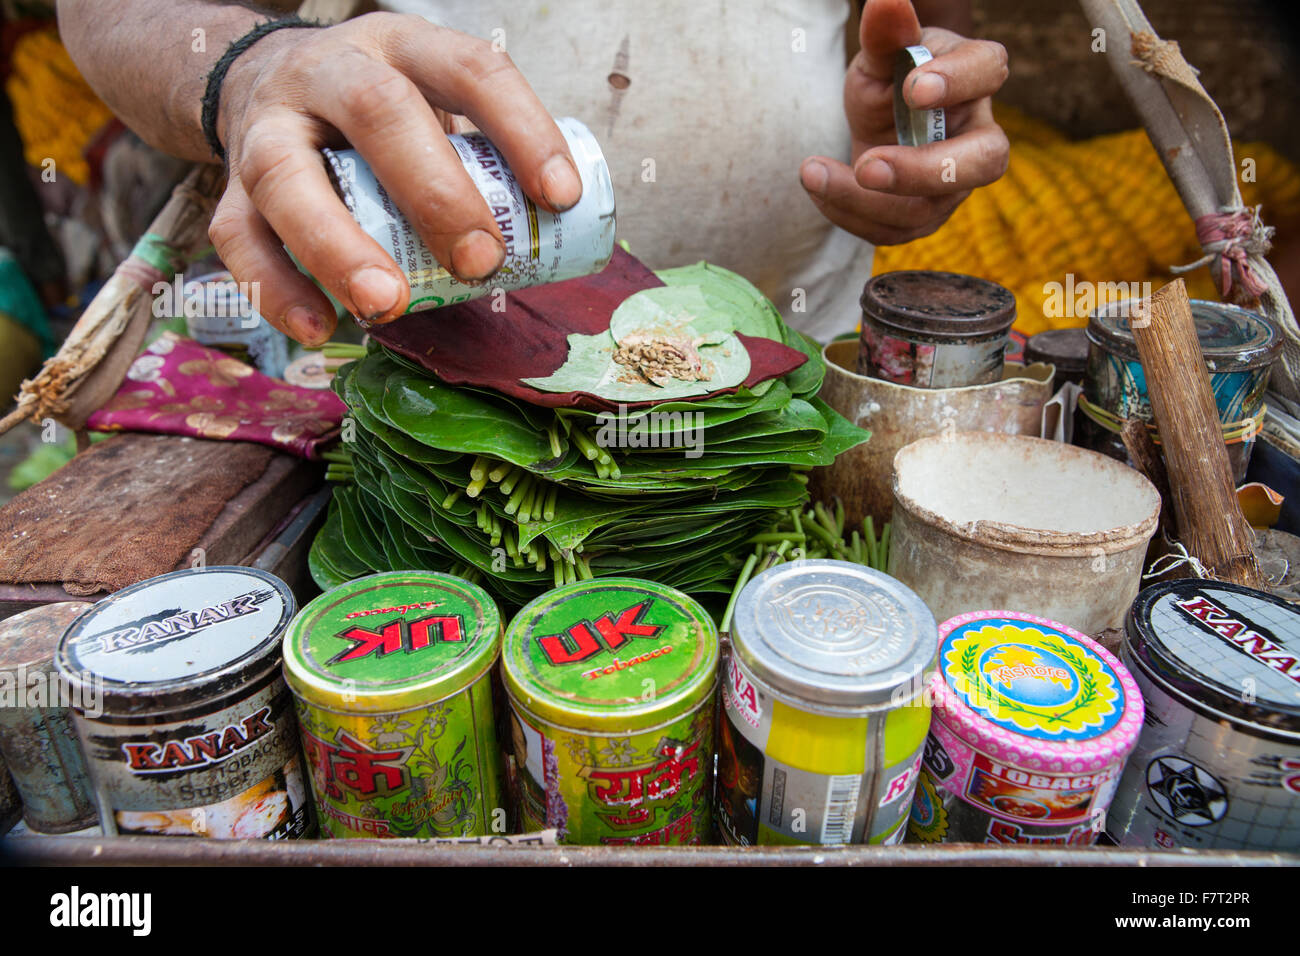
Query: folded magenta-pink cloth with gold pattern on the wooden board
x=179, y=387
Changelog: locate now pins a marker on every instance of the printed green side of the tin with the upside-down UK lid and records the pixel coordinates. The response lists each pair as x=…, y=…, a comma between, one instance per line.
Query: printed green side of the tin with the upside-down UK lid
x=430, y=772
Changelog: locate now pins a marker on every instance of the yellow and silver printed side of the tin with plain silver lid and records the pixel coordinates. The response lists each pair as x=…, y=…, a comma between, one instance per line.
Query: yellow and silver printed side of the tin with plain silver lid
x=765, y=799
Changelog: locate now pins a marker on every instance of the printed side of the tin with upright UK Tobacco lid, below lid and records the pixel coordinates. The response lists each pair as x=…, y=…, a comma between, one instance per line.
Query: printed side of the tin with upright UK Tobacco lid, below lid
x=647, y=789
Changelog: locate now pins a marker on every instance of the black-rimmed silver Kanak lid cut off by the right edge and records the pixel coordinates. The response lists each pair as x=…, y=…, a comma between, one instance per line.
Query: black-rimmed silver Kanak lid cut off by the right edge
x=1229, y=648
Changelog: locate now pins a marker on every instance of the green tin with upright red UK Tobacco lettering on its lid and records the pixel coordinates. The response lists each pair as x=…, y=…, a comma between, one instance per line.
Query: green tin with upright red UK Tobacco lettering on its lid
x=612, y=707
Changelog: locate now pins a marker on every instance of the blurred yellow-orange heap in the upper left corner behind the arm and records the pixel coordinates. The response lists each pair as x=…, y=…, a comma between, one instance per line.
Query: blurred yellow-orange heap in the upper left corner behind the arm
x=54, y=107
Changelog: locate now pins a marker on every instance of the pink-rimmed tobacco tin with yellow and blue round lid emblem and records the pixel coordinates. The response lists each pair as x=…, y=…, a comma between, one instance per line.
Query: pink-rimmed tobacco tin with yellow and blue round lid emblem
x=1033, y=725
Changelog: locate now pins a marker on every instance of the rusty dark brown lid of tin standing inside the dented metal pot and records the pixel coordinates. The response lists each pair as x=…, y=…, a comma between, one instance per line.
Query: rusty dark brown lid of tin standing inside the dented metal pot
x=939, y=304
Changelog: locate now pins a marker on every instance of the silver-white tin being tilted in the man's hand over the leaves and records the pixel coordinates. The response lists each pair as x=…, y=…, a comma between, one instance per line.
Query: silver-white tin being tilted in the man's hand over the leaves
x=540, y=246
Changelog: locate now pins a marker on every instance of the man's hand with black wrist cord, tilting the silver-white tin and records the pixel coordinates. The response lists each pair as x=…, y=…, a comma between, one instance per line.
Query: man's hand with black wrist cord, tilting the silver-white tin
x=389, y=84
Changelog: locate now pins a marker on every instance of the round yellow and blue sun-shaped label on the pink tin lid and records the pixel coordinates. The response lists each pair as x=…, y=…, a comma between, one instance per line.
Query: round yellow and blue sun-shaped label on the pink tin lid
x=1032, y=680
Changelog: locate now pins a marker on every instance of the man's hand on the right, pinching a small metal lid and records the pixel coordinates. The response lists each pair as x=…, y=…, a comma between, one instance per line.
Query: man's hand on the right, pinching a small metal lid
x=895, y=194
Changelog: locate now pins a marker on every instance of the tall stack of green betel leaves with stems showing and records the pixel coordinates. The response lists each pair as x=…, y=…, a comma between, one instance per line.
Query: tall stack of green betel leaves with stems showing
x=523, y=498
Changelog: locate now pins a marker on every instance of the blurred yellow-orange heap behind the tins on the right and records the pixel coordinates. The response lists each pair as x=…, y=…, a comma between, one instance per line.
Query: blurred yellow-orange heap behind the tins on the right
x=1103, y=210
